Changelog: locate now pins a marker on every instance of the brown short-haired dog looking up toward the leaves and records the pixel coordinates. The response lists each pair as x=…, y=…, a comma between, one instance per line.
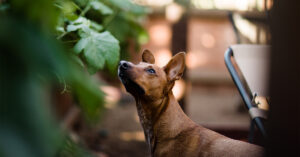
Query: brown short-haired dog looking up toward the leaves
x=168, y=131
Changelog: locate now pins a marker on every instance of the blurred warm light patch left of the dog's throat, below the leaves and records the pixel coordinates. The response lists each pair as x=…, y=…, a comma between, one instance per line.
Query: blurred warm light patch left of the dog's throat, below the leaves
x=113, y=95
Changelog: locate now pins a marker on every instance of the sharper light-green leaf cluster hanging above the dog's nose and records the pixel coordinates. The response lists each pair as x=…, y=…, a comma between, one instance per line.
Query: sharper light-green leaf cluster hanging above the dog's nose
x=98, y=30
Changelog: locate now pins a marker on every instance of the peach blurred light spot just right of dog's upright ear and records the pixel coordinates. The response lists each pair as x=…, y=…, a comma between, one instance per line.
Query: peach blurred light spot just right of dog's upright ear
x=196, y=59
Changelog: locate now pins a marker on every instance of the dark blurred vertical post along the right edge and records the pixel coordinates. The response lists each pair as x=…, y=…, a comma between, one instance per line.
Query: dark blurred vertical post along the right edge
x=283, y=123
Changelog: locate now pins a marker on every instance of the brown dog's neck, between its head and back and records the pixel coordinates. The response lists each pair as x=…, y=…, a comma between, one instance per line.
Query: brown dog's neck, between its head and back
x=161, y=119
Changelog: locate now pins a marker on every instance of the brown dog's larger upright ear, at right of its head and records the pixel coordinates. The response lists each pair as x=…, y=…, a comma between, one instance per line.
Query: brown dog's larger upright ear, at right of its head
x=174, y=69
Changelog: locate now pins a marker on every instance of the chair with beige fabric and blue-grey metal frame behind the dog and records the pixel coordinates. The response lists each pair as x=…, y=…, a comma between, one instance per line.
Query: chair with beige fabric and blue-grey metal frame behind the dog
x=248, y=66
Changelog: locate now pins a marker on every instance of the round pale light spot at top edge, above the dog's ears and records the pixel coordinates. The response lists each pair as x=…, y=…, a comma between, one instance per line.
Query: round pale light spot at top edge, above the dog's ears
x=174, y=12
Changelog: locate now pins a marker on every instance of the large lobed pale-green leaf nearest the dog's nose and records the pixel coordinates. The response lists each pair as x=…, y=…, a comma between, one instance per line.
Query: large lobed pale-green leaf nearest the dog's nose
x=99, y=49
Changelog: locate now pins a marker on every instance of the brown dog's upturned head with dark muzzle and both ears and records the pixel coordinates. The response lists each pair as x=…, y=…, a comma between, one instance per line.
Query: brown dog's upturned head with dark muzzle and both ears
x=148, y=80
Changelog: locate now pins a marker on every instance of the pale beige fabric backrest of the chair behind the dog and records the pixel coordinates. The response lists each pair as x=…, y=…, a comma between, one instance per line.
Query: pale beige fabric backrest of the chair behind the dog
x=253, y=61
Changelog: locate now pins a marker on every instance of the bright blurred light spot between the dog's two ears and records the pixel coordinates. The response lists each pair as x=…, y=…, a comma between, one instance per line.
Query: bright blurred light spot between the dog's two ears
x=162, y=57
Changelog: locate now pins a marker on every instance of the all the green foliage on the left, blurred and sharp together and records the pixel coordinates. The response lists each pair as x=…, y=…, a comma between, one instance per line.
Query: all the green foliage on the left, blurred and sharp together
x=92, y=34
